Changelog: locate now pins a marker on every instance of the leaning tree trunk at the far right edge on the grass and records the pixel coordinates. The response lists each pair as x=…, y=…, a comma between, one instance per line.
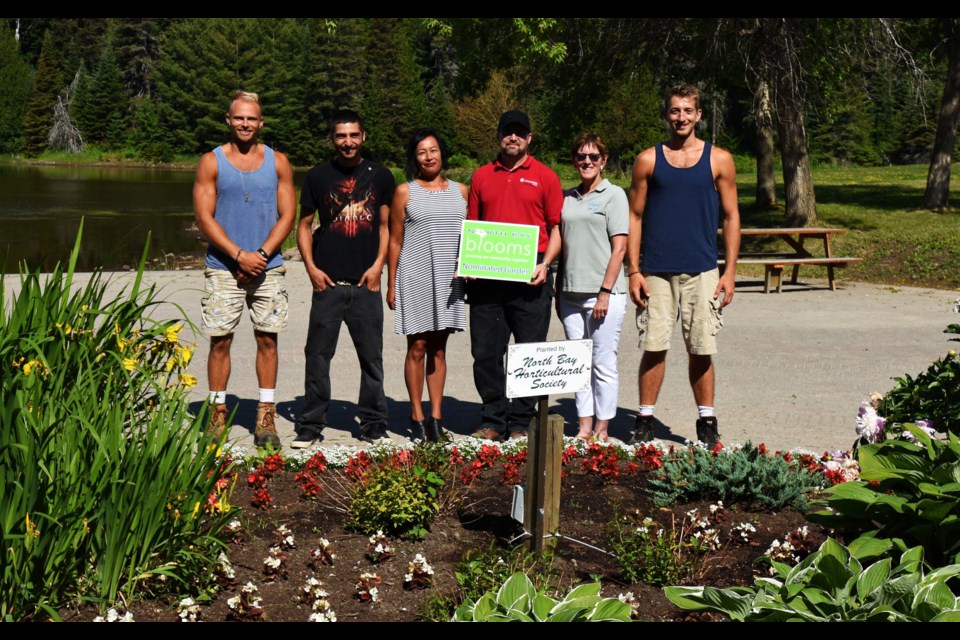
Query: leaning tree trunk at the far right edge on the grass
x=937, y=195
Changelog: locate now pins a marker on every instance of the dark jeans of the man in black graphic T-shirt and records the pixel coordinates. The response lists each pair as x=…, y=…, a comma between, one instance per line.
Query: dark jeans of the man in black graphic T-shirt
x=362, y=311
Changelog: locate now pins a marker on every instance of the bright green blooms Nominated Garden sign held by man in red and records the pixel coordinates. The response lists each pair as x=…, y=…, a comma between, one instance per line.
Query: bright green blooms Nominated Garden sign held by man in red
x=498, y=250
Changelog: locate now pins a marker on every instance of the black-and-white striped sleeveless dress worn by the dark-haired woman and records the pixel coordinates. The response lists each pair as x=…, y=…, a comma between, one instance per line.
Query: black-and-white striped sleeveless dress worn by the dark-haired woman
x=429, y=297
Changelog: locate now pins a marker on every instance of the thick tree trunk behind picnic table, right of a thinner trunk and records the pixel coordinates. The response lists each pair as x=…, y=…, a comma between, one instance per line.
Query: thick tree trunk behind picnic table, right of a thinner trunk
x=784, y=65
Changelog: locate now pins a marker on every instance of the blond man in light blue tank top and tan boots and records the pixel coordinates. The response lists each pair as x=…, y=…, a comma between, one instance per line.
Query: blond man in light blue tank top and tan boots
x=245, y=206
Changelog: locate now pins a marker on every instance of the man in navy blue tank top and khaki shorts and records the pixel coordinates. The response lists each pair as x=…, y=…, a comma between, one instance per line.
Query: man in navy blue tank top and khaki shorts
x=677, y=193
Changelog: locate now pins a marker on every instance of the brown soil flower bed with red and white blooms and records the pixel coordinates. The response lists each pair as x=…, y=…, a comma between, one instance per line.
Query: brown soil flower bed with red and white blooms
x=373, y=577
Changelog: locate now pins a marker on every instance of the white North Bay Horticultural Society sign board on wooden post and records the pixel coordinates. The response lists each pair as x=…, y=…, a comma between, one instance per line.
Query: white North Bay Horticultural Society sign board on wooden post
x=544, y=368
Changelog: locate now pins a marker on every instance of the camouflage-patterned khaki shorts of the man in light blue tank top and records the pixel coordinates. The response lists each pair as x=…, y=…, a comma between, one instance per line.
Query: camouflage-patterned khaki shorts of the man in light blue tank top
x=266, y=296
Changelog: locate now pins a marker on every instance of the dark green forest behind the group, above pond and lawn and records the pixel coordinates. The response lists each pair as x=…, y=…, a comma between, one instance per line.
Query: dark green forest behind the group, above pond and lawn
x=781, y=94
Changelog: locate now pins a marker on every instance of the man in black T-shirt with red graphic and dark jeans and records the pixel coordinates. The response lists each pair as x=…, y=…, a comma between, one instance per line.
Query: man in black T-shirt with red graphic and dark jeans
x=343, y=237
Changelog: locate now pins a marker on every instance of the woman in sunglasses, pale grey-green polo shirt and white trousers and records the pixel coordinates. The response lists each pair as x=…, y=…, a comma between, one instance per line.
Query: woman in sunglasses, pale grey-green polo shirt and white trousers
x=591, y=293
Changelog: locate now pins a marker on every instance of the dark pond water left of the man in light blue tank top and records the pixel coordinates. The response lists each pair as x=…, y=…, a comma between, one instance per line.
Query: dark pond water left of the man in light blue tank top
x=41, y=208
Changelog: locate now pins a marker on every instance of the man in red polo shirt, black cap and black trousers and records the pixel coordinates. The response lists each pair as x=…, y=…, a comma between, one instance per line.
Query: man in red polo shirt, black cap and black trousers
x=513, y=188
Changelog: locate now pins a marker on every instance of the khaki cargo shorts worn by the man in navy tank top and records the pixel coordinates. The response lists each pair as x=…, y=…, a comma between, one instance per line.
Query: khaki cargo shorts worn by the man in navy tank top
x=689, y=298
